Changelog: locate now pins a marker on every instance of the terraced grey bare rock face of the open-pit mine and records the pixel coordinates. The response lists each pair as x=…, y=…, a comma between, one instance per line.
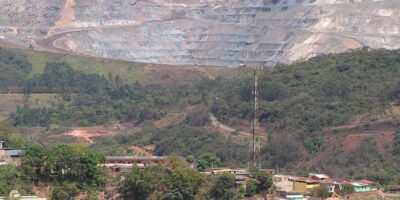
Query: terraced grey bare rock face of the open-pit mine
x=202, y=32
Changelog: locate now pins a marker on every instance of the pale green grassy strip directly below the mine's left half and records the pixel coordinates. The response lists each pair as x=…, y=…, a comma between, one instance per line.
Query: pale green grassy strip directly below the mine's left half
x=130, y=72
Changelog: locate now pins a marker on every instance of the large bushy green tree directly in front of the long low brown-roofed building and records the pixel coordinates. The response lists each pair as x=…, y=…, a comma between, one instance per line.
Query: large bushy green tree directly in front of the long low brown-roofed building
x=140, y=183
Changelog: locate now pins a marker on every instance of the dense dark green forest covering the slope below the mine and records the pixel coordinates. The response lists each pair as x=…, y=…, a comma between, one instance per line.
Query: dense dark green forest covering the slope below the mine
x=297, y=102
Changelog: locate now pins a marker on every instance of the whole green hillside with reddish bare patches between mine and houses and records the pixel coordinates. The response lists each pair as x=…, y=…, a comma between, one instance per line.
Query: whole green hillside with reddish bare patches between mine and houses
x=333, y=113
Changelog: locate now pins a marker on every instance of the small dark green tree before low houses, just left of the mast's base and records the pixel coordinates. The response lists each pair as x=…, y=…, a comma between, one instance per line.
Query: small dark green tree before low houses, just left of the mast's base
x=223, y=187
